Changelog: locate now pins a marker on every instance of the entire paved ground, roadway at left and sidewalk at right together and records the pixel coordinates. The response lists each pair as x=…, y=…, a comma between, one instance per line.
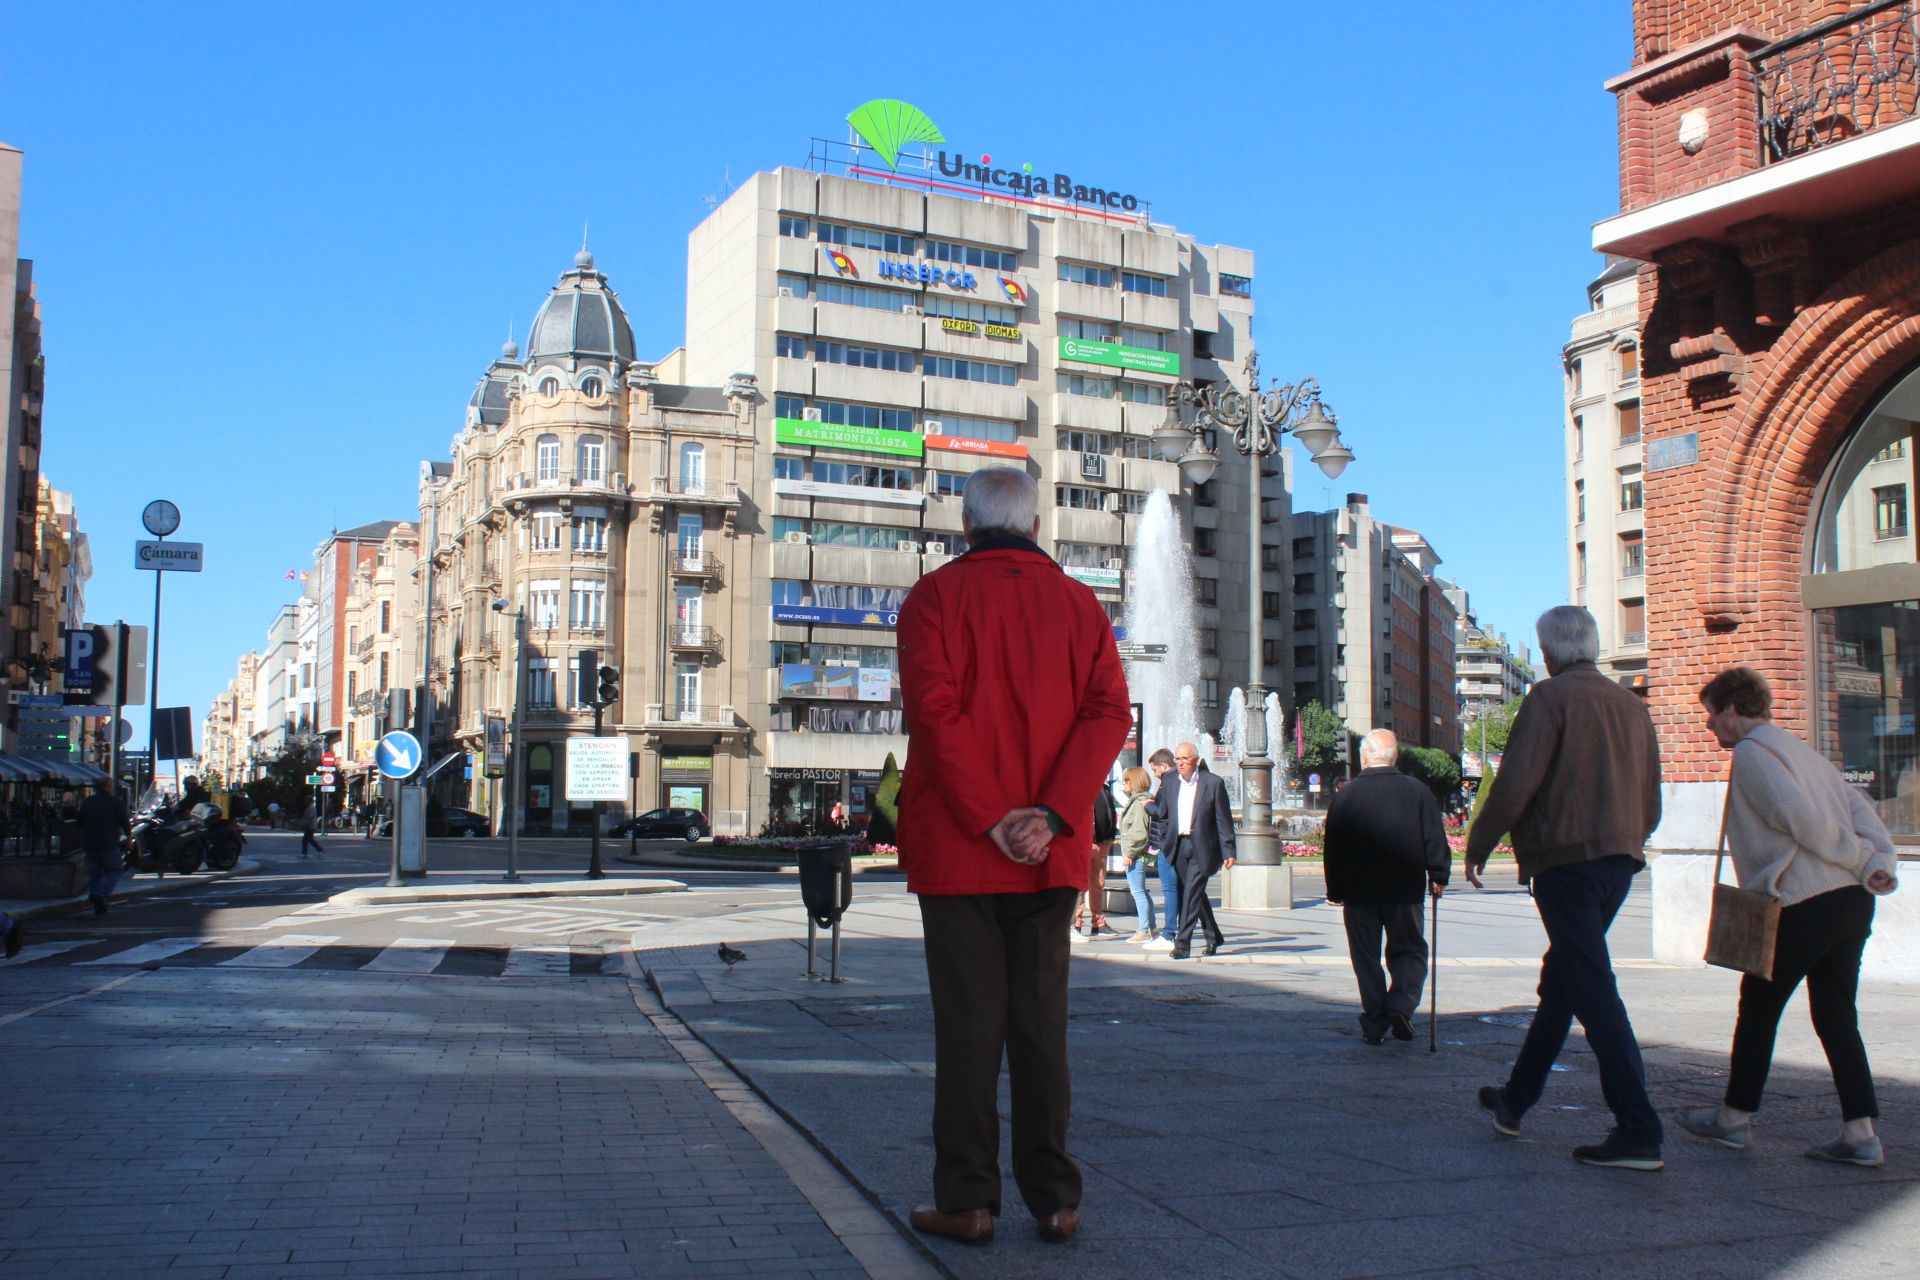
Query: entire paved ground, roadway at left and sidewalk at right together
x=356, y=1102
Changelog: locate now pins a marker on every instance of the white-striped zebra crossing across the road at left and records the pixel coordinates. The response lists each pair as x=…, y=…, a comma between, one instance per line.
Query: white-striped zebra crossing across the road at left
x=320, y=953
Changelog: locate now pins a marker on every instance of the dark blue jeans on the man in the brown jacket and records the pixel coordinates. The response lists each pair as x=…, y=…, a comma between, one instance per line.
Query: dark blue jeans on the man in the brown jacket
x=1577, y=905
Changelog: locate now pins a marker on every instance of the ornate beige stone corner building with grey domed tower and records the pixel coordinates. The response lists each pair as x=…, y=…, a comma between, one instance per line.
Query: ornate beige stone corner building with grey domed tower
x=596, y=506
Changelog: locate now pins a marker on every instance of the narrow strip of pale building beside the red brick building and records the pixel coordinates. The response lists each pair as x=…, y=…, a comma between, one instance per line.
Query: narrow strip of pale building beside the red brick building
x=1606, y=473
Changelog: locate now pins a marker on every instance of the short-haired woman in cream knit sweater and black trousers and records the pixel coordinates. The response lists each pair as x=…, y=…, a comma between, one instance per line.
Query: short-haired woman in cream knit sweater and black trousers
x=1802, y=834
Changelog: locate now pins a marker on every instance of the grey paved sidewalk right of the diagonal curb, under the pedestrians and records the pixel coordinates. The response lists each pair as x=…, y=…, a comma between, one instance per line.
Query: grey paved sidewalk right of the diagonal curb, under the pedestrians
x=1232, y=1122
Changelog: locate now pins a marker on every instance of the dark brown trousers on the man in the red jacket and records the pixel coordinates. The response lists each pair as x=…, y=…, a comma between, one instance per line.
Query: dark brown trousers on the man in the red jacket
x=997, y=972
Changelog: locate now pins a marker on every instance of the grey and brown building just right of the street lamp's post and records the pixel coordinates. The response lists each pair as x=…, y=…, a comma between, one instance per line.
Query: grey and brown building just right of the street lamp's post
x=1372, y=627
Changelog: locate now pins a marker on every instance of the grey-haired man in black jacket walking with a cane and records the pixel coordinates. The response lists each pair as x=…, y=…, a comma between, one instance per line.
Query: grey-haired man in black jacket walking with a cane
x=1385, y=853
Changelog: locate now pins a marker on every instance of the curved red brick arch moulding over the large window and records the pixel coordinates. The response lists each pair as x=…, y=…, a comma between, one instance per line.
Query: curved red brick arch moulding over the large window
x=1821, y=377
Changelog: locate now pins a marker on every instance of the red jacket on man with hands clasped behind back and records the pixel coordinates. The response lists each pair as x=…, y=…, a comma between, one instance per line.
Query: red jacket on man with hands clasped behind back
x=1015, y=696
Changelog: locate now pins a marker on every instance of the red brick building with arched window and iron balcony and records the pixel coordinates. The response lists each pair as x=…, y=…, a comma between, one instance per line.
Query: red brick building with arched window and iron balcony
x=1771, y=191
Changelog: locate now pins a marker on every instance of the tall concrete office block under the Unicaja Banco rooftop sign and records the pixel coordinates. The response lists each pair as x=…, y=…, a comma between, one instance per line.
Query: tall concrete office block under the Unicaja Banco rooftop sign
x=903, y=339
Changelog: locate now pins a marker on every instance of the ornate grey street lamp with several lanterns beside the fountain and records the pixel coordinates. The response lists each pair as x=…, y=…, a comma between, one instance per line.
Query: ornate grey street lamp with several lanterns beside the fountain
x=1257, y=421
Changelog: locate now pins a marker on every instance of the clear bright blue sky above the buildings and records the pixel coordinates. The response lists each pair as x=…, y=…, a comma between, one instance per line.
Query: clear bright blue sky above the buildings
x=277, y=247
